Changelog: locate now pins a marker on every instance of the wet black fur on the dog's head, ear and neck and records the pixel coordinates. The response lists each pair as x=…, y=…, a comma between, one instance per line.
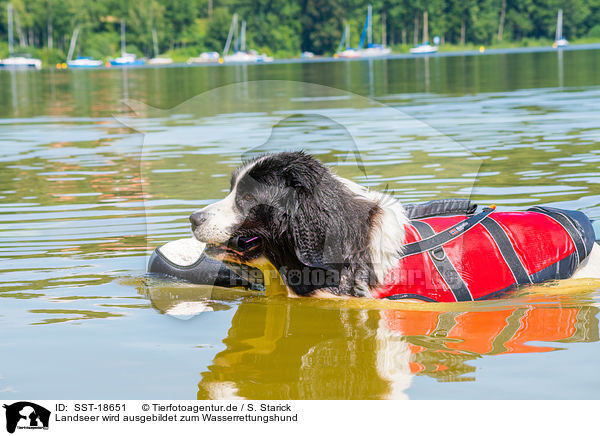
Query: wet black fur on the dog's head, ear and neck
x=313, y=228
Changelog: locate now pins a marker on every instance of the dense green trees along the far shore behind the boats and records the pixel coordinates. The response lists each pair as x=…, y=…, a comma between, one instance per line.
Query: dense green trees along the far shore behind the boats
x=282, y=27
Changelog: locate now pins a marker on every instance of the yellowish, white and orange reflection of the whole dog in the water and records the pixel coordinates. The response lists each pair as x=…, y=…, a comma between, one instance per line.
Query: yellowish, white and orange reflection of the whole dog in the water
x=281, y=350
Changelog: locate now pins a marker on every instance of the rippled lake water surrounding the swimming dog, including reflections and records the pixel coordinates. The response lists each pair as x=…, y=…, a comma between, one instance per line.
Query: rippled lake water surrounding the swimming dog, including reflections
x=97, y=168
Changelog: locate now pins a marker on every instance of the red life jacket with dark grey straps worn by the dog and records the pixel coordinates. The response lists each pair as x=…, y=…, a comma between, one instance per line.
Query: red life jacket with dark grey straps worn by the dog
x=465, y=258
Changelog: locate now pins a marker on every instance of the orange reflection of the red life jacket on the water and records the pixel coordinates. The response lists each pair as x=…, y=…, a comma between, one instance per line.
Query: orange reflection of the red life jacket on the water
x=442, y=343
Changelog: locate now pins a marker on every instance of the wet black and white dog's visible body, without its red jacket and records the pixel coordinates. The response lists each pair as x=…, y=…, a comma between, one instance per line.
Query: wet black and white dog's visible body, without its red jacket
x=319, y=231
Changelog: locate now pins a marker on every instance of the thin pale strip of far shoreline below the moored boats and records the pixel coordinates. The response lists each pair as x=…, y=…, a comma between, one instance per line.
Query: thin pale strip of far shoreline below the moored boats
x=392, y=56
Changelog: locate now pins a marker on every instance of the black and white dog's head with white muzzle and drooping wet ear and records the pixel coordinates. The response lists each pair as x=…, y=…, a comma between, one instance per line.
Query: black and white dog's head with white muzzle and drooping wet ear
x=290, y=208
